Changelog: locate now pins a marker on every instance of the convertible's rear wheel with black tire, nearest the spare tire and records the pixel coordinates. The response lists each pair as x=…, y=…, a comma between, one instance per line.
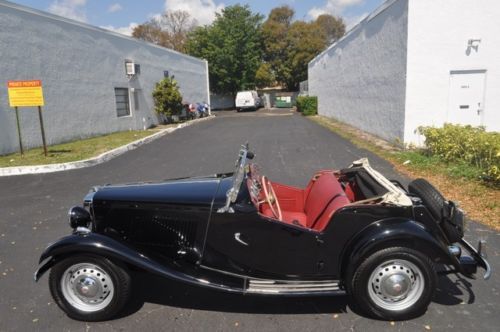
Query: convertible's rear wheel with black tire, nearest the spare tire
x=365, y=298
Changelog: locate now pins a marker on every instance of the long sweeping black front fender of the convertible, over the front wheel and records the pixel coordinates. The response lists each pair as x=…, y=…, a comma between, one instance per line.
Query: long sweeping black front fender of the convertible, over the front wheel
x=104, y=246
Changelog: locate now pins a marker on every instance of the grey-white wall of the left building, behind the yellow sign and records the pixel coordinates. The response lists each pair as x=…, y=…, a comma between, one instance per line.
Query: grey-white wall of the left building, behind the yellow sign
x=80, y=66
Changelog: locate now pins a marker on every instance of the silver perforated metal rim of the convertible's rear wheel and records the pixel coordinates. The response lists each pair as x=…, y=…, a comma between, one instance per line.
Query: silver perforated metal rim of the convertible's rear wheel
x=396, y=285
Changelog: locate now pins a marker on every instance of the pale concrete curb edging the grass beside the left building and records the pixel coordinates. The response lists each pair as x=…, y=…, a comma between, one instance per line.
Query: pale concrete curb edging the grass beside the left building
x=50, y=168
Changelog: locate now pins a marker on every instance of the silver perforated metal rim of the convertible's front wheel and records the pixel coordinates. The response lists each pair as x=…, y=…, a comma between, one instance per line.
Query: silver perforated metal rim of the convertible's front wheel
x=87, y=287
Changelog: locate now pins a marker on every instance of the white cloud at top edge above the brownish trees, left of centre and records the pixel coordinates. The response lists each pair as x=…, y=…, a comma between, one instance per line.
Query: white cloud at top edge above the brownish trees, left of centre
x=201, y=10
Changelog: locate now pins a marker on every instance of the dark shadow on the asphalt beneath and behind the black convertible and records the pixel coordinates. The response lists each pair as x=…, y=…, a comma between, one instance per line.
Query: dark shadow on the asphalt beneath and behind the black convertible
x=451, y=290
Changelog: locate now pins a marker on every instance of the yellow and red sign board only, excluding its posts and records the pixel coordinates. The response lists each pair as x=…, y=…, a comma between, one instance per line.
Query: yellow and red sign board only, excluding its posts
x=25, y=93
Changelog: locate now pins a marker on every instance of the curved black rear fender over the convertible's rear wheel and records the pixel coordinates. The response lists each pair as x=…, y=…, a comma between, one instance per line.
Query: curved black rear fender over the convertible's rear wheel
x=394, y=232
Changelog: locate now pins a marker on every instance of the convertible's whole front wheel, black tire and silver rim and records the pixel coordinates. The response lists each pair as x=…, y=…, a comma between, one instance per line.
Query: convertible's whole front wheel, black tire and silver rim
x=89, y=288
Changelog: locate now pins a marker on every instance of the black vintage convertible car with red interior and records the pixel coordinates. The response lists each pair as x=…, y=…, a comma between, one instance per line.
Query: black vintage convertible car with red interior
x=349, y=231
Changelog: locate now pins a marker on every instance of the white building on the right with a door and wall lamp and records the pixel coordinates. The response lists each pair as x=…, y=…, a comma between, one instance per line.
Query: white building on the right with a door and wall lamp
x=408, y=64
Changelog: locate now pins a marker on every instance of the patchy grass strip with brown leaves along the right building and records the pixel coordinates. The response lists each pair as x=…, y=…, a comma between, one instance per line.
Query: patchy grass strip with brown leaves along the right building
x=458, y=182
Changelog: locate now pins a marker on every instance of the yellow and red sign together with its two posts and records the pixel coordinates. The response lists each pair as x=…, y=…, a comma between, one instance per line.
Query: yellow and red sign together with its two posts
x=27, y=94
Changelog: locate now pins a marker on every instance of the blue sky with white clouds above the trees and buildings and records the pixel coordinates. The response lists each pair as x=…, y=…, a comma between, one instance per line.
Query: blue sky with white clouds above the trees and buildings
x=122, y=15
